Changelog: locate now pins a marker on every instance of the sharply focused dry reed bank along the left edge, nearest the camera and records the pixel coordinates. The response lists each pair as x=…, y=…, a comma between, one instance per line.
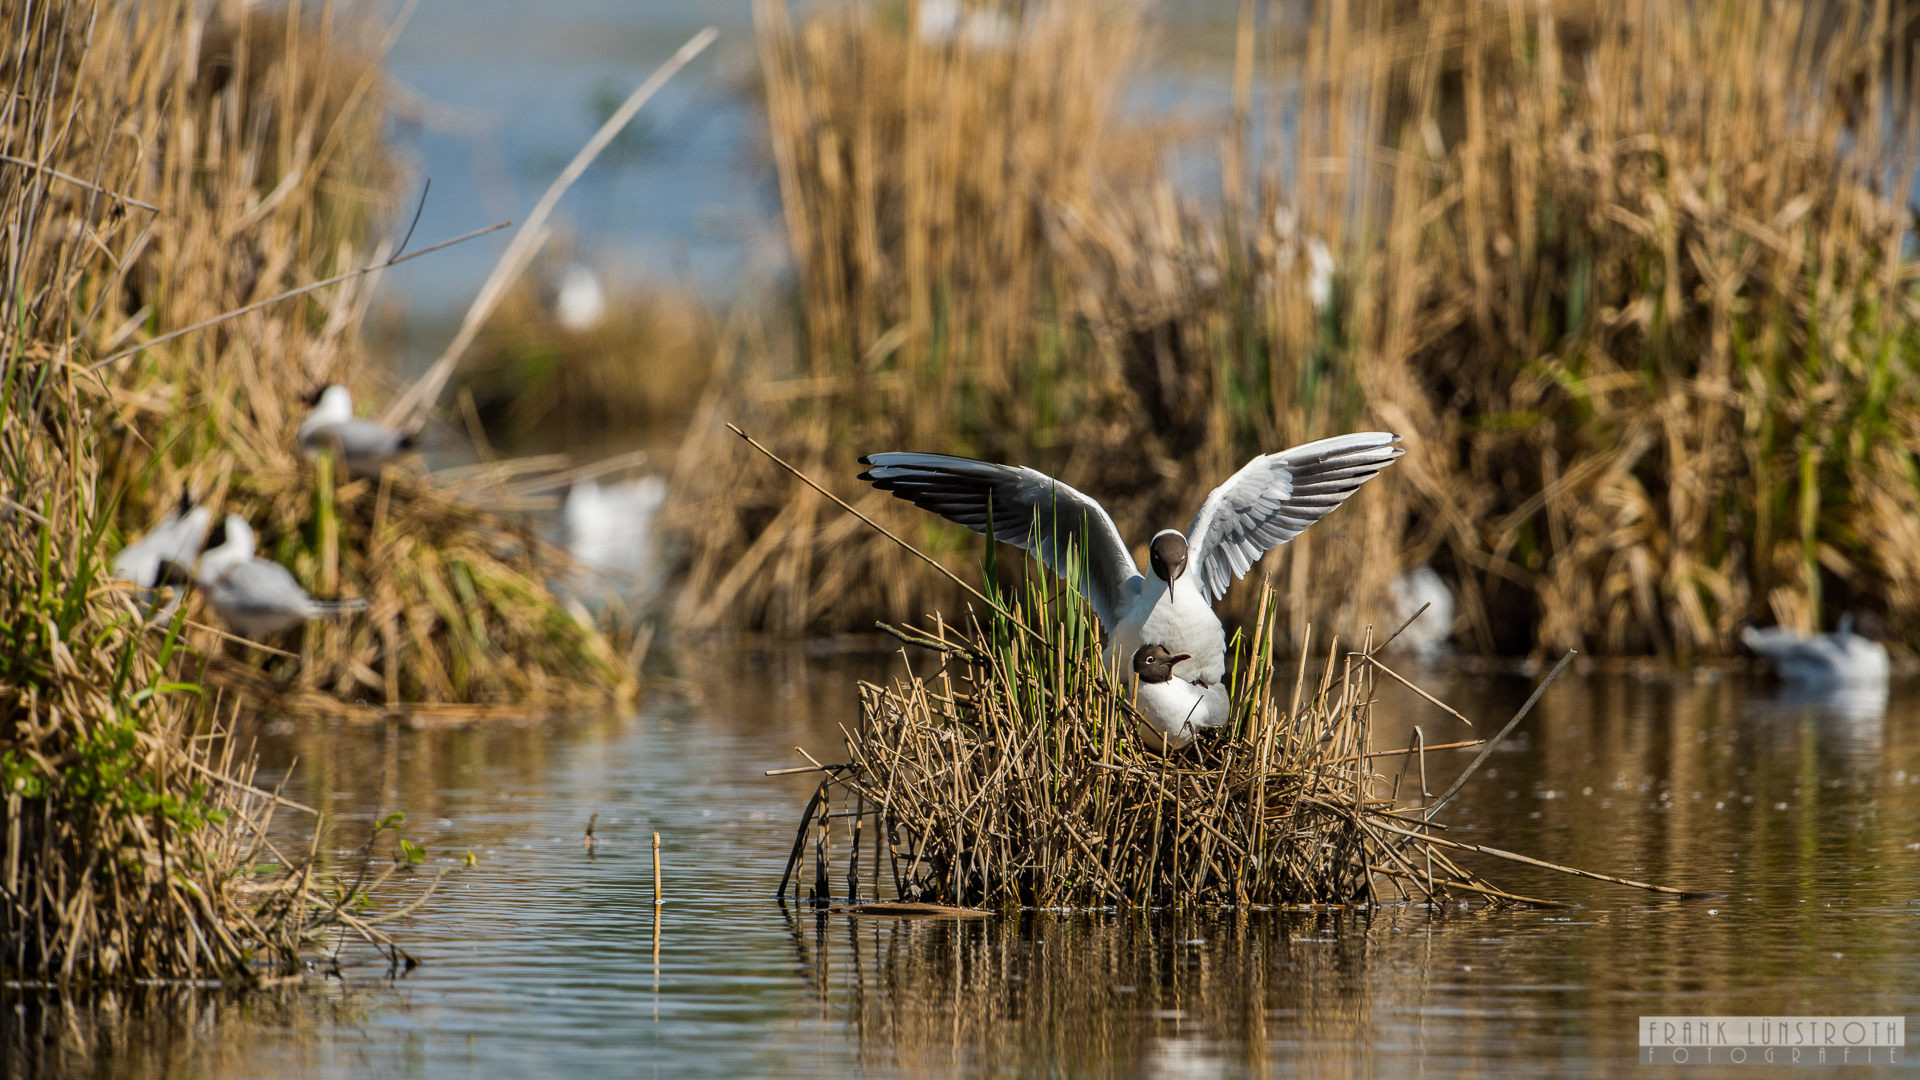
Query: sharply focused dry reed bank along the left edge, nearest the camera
x=133, y=833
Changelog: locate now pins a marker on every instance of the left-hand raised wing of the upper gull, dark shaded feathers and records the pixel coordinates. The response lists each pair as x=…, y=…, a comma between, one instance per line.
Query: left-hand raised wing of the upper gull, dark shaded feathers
x=1026, y=508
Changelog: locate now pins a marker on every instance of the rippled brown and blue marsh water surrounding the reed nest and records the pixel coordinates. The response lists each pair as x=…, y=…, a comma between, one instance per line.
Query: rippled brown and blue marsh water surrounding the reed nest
x=540, y=958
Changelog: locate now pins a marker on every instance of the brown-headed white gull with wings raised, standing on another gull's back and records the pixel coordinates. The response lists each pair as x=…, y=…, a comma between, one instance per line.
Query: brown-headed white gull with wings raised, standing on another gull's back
x=1266, y=504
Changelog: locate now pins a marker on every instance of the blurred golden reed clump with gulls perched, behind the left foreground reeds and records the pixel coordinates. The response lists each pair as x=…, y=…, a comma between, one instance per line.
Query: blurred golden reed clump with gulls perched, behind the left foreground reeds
x=254, y=141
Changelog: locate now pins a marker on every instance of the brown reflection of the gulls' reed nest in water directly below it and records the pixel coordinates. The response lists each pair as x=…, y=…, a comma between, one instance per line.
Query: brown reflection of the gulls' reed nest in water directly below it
x=1095, y=993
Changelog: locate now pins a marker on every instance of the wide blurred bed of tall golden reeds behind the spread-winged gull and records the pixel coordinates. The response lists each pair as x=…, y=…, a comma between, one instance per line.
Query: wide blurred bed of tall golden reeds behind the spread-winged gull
x=1635, y=282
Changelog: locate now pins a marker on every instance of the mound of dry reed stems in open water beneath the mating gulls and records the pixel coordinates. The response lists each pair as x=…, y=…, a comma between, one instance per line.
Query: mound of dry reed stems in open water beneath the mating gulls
x=1015, y=775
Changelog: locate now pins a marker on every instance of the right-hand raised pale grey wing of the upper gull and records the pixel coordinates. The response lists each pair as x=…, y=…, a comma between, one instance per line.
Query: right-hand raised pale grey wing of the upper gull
x=1276, y=499
